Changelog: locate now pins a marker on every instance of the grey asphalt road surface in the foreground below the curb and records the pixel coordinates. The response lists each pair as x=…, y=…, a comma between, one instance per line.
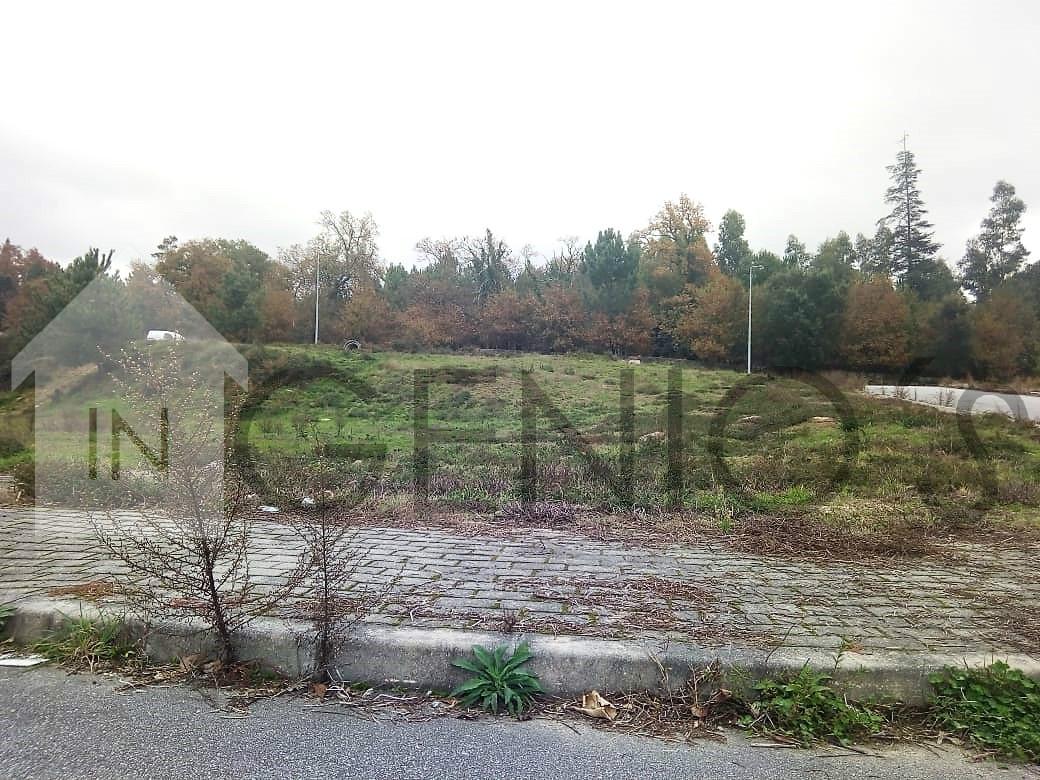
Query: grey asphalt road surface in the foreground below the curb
x=61, y=726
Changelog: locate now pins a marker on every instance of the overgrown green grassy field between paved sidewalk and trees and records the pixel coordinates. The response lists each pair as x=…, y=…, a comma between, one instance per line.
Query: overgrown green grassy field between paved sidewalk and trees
x=765, y=446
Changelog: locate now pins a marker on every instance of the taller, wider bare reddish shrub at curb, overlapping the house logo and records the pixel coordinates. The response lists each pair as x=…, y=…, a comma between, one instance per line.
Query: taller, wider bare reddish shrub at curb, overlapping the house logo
x=188, y=552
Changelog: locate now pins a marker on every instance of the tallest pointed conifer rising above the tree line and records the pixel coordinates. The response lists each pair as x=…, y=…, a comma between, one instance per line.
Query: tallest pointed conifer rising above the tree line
x=913, y=237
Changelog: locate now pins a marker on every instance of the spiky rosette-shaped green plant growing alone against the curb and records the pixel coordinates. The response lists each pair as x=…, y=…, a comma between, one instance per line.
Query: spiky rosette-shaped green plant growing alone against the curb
x=498, y=680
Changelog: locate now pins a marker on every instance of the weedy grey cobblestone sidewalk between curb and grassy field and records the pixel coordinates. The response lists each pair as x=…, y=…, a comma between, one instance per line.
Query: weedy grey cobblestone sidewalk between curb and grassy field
x=551, y=583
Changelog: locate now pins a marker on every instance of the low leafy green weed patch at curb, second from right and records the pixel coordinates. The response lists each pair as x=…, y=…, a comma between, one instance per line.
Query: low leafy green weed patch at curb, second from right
x=807, y=709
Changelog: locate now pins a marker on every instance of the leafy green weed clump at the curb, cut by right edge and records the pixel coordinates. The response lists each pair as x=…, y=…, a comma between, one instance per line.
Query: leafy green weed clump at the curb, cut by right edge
x=997, y=709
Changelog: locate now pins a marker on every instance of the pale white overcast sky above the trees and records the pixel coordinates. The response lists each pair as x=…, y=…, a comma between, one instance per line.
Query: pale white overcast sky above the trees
x=122, y=125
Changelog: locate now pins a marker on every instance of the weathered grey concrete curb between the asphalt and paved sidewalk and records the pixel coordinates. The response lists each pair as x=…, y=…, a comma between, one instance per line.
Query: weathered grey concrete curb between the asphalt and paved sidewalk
x=567, y=666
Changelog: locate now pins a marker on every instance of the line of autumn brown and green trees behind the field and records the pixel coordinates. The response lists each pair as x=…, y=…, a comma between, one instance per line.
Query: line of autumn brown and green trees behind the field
x=882, y=303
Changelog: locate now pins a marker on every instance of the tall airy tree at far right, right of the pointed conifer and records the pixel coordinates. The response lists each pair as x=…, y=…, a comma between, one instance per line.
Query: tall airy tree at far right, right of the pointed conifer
x=998, y=252
